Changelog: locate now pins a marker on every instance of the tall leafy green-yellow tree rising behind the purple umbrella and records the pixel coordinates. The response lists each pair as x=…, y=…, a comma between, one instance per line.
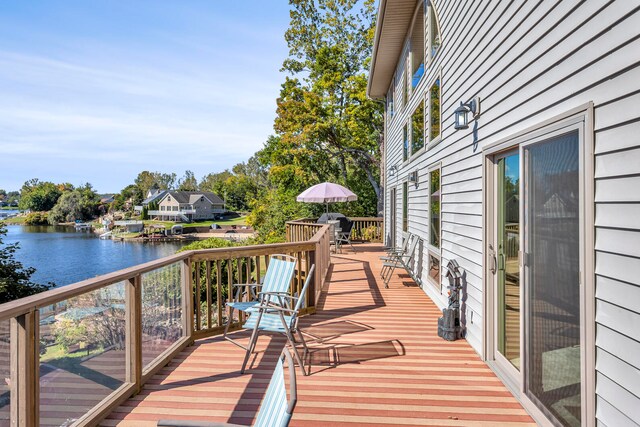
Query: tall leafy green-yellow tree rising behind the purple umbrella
x=326, y=127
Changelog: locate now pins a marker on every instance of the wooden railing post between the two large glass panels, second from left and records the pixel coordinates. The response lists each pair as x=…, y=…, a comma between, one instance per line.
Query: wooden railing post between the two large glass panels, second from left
x=133, y=294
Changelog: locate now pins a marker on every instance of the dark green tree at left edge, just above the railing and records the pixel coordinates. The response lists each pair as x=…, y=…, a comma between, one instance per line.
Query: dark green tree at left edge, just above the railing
x=15, y=279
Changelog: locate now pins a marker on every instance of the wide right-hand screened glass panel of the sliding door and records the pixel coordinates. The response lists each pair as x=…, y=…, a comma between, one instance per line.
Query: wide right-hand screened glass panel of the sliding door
x=552, y=265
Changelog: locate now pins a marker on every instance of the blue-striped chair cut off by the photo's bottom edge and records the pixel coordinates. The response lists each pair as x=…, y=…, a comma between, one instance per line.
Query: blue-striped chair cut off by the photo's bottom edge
x=275, y=409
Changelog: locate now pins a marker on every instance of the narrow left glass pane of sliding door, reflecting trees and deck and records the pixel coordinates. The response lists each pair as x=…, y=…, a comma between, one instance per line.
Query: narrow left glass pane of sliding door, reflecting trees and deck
x=508, y=245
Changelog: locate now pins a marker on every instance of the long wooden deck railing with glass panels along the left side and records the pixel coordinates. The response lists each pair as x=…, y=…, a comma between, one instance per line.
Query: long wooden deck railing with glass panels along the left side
x=73, y=354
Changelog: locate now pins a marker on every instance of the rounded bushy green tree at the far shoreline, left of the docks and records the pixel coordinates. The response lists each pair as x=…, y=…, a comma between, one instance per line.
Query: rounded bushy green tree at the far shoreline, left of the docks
x=79, y=204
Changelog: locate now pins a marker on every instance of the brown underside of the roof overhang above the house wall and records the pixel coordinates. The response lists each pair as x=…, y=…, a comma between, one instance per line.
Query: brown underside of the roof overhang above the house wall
x=394, y=18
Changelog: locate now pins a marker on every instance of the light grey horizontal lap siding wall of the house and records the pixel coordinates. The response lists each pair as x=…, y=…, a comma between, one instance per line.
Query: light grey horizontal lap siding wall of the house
x=530, y=62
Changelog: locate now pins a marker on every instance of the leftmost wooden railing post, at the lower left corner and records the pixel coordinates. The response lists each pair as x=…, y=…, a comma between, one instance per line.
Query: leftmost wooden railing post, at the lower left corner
x=25, y=368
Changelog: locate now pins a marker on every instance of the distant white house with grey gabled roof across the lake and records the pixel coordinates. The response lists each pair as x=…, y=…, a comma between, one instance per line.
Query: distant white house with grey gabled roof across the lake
x=188, y=206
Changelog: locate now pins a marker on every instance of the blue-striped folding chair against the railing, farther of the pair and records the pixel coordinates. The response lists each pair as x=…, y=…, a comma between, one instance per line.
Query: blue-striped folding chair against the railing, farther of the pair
x=276, y=280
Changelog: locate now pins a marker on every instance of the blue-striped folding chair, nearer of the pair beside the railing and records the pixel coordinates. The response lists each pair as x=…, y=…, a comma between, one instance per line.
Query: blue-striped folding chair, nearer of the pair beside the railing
x=275, y=316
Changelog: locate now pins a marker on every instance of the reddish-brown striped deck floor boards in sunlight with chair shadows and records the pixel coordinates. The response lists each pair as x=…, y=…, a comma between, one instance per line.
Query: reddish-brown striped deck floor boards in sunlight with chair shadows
x=377, y=361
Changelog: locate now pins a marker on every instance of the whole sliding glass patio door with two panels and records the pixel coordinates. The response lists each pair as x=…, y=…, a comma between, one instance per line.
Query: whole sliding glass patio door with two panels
x=534, y=248
